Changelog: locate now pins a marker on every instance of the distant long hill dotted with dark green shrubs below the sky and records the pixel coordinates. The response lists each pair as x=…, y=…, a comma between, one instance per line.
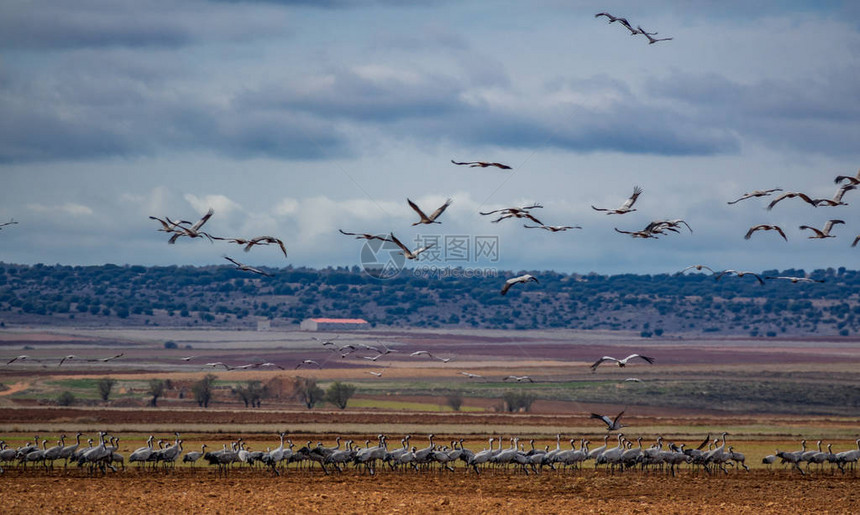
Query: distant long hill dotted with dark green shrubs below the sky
x=221, y=296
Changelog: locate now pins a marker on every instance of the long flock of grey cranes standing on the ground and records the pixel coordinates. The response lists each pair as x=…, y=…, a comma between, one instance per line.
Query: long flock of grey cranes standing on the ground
x=709, y=456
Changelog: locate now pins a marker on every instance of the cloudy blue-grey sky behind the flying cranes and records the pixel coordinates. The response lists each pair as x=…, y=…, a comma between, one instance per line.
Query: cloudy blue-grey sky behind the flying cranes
x=297, y=118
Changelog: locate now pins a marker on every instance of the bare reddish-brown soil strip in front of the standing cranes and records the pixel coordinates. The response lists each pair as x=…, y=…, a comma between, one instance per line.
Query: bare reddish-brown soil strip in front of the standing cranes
x=245, y=491
